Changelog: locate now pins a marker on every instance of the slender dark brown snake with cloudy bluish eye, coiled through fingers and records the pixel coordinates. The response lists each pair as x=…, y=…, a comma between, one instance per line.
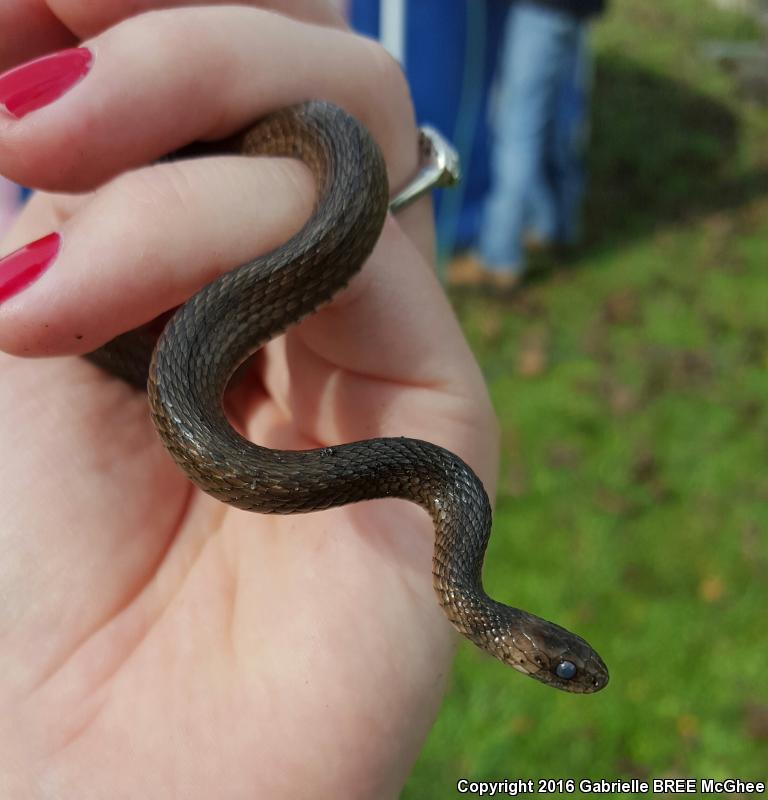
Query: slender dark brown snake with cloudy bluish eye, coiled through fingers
x=187, y=369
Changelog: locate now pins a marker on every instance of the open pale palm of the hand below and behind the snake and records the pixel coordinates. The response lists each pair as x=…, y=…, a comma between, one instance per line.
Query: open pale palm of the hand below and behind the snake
x=168, y=634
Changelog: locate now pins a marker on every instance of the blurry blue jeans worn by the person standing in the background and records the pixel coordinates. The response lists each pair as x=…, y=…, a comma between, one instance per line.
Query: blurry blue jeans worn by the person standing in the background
x=539, y=129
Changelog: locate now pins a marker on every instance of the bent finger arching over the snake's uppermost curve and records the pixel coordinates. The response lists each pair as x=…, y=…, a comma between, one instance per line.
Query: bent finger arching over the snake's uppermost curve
x=162, y=79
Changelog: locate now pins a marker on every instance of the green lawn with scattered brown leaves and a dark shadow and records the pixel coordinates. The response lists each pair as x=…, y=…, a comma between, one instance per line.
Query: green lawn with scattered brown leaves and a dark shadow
x=631, y=386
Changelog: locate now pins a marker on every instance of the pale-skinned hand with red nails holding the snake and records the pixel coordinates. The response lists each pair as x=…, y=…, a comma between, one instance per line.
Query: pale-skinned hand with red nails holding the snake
x=156, y=643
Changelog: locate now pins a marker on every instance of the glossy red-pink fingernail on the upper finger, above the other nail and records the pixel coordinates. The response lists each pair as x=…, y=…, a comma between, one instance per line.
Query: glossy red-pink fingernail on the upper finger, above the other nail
x=39, y=82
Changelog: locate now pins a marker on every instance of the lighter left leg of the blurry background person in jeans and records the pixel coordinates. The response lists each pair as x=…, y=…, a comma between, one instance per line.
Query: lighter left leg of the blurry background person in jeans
x=528, y=83
